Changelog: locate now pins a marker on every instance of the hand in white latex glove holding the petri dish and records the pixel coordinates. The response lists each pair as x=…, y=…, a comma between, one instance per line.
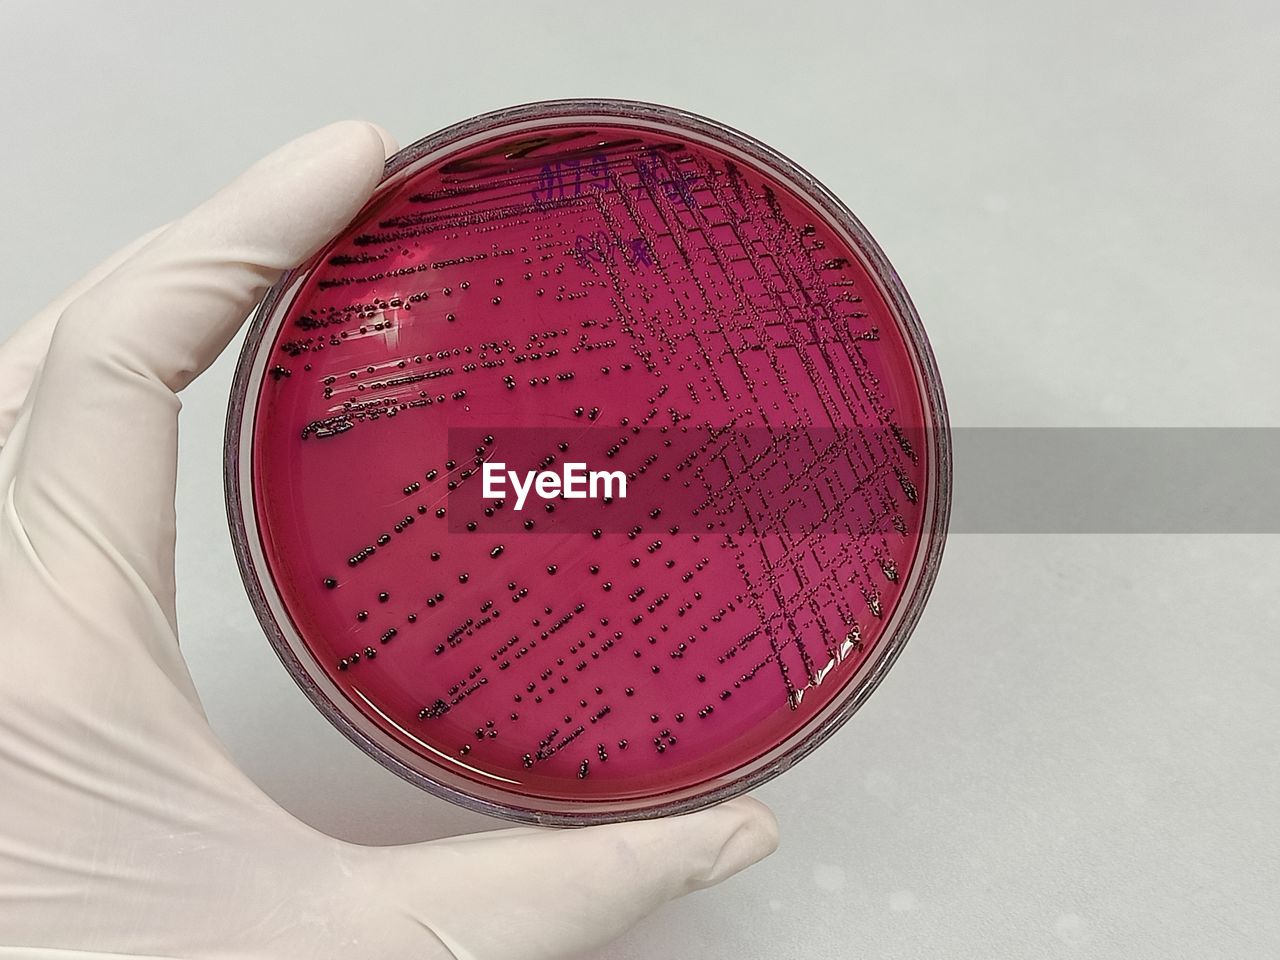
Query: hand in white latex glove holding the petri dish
x=125, y=826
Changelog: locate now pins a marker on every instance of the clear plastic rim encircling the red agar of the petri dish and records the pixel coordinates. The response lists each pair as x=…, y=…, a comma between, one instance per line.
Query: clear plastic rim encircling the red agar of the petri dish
x=474, y=796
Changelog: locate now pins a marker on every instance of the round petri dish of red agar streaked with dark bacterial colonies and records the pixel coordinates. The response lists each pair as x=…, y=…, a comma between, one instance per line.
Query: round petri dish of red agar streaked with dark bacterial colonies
x=600, y=470
